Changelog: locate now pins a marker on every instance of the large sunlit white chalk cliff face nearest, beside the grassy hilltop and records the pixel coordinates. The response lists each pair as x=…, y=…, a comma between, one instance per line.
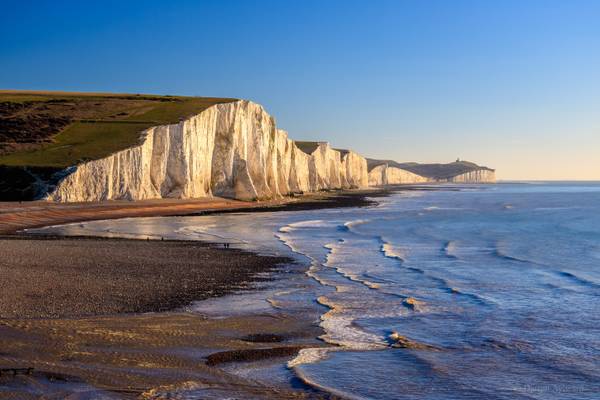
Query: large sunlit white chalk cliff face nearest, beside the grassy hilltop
x=231, y=150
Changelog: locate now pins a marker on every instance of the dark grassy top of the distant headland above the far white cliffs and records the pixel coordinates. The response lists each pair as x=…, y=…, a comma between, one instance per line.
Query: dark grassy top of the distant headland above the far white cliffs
x=431, y=171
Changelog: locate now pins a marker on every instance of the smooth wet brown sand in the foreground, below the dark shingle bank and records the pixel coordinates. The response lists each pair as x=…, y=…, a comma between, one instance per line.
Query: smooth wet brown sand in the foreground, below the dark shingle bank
x=146, y=356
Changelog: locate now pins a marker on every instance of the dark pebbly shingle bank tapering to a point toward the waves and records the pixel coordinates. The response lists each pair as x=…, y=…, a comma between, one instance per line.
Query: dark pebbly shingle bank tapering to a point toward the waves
x=53, y=277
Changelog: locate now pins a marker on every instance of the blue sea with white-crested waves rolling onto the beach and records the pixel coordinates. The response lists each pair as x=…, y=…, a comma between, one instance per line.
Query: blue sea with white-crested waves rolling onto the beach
x=479, y=292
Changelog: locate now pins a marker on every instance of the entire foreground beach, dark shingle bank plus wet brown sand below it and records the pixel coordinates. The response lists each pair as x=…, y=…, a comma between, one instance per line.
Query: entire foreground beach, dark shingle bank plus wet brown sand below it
x=90, y=315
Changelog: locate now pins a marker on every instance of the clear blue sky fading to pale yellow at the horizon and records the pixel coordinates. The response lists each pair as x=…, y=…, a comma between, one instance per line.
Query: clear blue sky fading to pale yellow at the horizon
x=514, y=85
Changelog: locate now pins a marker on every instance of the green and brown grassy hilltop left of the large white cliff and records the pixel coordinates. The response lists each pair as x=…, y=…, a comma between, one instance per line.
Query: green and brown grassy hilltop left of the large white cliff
x=59, y=129
